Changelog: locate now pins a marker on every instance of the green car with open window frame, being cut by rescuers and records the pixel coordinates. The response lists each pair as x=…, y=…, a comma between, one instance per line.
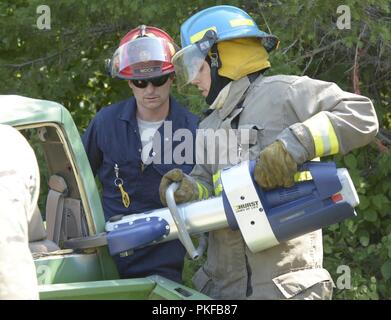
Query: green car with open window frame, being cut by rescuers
x=72, y=209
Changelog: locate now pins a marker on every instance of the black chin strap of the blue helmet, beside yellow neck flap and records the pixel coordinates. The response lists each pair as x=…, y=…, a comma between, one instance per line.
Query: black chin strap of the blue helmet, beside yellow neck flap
x=217, y=82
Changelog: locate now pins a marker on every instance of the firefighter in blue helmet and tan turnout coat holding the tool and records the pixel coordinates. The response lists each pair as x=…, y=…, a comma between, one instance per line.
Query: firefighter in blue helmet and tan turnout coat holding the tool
x=289, y=120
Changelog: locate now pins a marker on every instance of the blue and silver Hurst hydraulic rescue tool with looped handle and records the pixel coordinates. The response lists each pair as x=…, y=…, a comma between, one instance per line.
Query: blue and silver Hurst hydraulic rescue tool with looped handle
x=265, y=218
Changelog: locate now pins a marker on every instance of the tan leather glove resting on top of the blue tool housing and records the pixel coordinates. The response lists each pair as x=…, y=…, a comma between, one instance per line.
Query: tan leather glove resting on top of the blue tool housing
x=275, y=167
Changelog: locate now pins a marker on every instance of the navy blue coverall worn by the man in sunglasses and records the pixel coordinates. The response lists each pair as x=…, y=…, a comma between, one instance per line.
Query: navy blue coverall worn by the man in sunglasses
x=113, y=139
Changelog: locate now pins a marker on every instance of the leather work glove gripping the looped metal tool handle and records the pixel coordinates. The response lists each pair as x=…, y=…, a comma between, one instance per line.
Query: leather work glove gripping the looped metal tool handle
x=187, y=191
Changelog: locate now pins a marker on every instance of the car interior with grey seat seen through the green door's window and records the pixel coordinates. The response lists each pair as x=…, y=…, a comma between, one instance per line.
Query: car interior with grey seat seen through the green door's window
x=59, y=214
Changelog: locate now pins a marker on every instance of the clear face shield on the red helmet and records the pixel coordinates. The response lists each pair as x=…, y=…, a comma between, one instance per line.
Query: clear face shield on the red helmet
x=142, y=58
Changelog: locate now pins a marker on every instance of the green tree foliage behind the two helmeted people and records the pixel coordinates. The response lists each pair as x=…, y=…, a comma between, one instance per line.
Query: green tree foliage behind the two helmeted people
x=66, y=64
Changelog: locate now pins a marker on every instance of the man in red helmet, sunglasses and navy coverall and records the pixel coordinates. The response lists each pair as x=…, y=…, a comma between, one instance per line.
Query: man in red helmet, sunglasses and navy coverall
x=129, y=149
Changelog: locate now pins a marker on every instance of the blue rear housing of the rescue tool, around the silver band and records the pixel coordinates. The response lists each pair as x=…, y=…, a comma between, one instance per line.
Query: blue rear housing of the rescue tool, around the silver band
x=303, y=208
